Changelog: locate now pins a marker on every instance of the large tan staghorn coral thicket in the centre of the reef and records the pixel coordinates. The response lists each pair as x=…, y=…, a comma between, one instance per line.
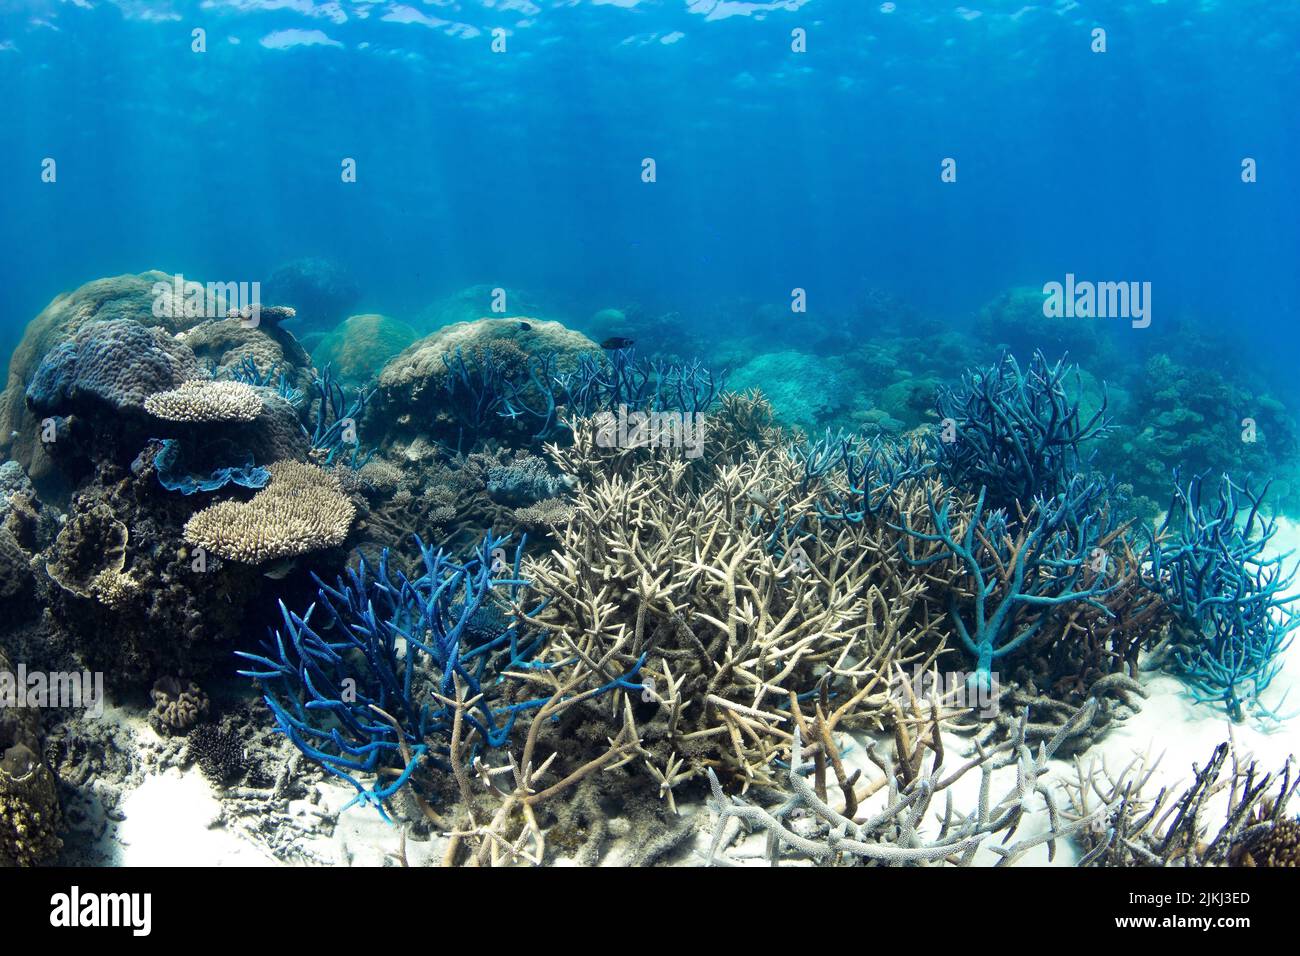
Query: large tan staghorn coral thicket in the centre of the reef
x=673, y=564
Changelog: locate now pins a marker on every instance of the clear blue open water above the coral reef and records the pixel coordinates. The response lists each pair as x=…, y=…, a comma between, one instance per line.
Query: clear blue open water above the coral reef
x=775, y=170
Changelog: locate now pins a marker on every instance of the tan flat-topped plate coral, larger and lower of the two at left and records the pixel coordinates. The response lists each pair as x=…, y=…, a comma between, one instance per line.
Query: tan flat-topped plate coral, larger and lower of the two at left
x=304, y=509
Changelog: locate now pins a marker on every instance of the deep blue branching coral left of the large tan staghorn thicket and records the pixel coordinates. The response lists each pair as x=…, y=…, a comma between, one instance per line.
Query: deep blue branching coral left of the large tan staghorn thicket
x=370, y=689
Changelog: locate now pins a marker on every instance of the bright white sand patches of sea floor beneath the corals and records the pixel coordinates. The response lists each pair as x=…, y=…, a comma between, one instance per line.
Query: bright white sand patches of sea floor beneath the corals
x=166, y=815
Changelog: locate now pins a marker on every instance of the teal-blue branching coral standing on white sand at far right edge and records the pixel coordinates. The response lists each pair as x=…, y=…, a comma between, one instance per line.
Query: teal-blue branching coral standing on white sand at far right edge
x=1233, y=617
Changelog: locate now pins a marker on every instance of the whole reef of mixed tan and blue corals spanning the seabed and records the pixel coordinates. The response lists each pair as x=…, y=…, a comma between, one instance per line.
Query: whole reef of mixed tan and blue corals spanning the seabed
x=505, y=586
